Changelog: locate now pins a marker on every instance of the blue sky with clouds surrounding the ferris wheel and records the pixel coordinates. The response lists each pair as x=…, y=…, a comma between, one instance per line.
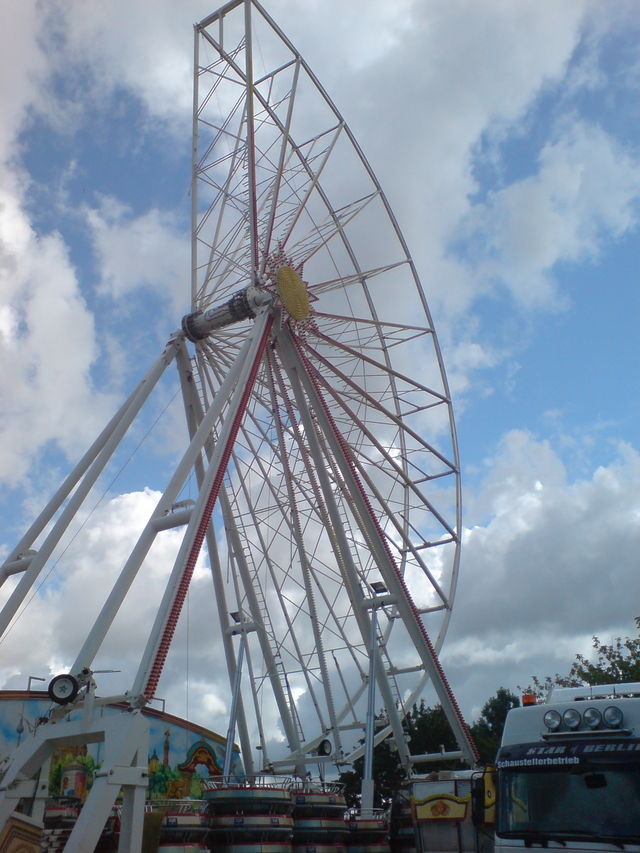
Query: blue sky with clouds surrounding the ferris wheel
x=505, y=135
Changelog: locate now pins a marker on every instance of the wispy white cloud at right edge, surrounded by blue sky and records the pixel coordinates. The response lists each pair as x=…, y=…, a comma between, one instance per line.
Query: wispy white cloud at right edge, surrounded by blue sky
x=585, y=193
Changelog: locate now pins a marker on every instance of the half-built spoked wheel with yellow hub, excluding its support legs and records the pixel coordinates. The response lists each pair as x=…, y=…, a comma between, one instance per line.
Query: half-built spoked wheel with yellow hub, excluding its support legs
x=344, y=476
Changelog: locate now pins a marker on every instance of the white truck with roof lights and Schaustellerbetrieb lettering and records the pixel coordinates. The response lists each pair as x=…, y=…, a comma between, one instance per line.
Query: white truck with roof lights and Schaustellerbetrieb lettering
x=567, y=774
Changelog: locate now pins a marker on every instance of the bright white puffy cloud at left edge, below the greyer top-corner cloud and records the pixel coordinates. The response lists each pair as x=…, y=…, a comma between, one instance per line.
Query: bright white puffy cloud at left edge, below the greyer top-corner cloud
x=47, y=347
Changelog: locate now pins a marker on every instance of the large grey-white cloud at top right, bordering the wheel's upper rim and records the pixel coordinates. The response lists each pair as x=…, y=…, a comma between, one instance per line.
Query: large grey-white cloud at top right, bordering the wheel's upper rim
x=460, y=69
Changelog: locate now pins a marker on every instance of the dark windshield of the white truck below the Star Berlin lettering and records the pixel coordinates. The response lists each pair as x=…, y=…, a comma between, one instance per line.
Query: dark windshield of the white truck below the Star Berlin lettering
x=598, y=801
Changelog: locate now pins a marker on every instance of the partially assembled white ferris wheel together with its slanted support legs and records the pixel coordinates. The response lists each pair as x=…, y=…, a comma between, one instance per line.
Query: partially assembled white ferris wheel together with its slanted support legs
x=321, y=426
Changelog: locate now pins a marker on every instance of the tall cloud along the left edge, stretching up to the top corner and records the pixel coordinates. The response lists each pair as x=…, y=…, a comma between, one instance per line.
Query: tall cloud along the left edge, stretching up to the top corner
x=47, y=335
